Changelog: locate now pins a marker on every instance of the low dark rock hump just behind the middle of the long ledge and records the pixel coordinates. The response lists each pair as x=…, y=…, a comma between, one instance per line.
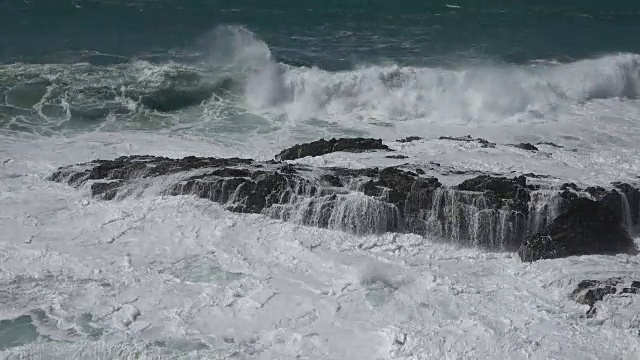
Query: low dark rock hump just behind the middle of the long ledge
x=322, y=147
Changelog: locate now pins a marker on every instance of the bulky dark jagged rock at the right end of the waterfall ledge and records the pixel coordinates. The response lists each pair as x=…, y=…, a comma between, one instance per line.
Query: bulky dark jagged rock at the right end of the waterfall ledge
x=586, y=227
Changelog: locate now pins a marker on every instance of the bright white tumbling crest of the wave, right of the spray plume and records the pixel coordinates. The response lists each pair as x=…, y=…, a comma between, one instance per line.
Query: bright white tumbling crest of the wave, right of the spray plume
x=395, y=93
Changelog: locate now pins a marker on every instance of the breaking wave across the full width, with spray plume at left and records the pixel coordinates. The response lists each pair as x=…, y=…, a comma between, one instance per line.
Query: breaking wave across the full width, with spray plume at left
x=235, y=79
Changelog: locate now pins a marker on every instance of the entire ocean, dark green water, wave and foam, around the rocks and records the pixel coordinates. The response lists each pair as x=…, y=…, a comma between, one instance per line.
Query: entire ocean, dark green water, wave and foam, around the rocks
x=167, y=277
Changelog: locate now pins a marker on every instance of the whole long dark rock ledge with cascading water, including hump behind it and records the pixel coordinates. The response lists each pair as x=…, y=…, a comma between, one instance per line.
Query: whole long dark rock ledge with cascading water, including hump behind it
x=488, y=211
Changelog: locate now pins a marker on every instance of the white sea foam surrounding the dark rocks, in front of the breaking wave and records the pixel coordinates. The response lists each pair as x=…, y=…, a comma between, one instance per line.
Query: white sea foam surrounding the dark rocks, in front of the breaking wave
x=168, y=276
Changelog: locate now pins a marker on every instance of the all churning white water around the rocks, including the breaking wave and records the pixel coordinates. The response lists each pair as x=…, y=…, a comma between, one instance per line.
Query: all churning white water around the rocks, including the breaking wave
x=179, y=277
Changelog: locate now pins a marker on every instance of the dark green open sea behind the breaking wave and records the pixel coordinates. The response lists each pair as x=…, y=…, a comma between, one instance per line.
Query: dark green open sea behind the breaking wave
x=331, y=34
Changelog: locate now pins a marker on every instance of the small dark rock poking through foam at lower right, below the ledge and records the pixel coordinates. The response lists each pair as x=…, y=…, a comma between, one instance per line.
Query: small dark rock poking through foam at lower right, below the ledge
x=589, y=292
